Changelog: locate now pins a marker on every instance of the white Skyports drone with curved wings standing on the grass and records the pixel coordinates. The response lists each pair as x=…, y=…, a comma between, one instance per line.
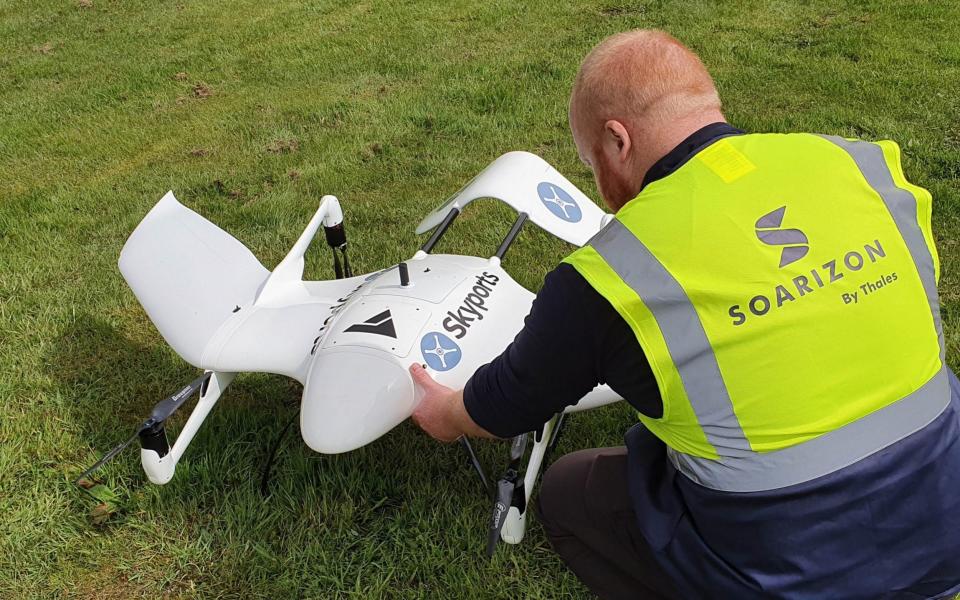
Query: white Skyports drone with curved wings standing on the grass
x=349, y=341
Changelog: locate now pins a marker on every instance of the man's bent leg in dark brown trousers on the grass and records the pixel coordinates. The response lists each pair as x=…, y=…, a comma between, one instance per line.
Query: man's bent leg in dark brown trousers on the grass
x=588, y=517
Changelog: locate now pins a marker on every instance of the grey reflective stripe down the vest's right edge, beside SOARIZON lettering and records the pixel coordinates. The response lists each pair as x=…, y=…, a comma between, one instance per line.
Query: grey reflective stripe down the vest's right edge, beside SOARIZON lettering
x=902, y=207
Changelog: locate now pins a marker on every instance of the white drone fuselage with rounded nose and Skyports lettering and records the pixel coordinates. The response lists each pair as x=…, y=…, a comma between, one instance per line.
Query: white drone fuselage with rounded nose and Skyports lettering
x=455, y=314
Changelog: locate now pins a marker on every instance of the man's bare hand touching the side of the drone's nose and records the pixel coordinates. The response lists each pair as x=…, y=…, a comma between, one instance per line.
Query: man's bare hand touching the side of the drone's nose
x=441, y=412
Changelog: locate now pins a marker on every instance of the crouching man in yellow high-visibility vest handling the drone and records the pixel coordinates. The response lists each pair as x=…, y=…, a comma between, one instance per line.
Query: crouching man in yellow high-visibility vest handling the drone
x=768, y=304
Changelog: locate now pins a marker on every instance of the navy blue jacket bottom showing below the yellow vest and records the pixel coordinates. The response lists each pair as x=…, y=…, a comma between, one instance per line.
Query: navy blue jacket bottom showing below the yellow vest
x=885, y=527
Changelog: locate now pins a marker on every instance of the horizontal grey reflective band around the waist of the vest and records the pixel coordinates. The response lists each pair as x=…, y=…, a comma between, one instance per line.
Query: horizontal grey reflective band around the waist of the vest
x=825, y=454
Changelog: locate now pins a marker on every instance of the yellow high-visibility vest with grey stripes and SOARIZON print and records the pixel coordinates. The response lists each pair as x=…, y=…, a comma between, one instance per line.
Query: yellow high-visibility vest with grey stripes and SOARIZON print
x=783, y=289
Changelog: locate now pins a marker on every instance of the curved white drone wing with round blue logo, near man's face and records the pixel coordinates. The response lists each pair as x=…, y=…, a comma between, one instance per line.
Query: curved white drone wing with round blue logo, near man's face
x=529, y=184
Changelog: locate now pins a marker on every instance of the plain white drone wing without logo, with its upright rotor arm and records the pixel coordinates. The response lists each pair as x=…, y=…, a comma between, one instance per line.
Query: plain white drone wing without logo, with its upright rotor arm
x=215, y=304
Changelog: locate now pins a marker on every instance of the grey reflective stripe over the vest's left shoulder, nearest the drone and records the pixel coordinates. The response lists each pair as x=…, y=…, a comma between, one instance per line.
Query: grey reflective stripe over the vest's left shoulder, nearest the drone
x=682, y=331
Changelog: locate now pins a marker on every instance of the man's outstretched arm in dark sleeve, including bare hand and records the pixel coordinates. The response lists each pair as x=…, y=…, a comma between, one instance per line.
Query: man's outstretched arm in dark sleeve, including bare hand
x=553, y=362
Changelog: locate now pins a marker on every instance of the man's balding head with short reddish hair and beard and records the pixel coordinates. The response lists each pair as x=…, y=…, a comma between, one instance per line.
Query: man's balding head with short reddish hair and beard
x=637, y=95
